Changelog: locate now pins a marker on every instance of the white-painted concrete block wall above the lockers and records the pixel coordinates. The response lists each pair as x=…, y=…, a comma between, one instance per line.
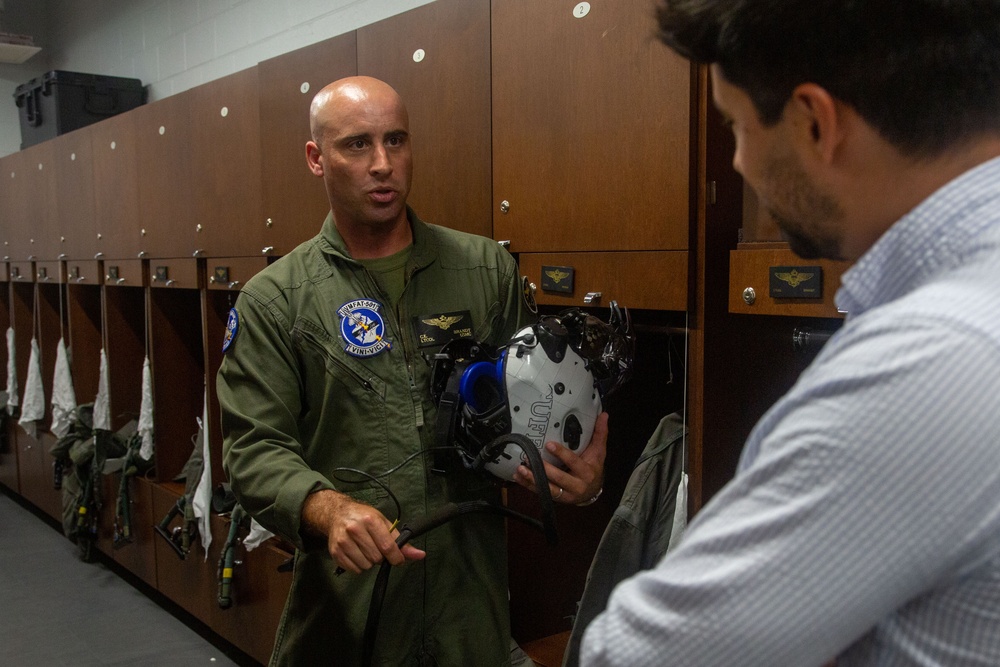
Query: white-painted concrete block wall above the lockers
x=170, y=45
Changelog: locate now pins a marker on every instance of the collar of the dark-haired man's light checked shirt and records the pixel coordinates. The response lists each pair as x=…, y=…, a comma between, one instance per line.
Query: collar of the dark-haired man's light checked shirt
x=933, y=237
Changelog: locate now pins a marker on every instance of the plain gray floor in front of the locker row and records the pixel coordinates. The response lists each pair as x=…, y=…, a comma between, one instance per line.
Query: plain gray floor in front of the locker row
x=56, y=610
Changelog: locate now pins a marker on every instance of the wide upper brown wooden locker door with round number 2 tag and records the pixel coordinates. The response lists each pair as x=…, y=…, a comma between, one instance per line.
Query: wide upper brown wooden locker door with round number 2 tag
x=591, y=129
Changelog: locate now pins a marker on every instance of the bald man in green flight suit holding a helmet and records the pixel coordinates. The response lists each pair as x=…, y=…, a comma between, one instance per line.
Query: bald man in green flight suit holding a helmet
x=324, y=370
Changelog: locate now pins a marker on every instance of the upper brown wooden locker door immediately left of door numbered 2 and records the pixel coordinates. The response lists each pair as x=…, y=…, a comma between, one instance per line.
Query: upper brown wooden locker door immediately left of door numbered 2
x=437, y=57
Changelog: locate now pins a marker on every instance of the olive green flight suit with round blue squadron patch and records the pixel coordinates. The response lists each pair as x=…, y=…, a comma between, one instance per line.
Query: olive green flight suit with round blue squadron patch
x=311, y=381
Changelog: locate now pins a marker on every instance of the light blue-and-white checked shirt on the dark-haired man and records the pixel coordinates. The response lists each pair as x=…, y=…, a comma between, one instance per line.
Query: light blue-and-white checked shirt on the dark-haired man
x=864, y=520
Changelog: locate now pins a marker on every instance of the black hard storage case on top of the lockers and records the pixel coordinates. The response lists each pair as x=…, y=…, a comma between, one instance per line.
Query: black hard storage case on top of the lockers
x=58, y=102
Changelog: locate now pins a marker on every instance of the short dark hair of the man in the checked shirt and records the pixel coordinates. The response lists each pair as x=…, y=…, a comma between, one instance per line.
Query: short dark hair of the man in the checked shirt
x=924, y=73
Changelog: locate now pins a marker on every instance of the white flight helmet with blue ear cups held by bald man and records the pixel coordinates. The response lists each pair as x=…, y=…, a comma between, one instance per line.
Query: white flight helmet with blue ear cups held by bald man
x=545, y=385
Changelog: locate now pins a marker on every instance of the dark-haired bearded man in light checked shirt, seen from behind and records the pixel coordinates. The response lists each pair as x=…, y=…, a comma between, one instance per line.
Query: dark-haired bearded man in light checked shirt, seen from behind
x=863, y=524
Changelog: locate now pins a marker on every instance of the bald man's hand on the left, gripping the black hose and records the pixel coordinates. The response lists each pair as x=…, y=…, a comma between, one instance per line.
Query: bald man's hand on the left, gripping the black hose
x=358, y=535
